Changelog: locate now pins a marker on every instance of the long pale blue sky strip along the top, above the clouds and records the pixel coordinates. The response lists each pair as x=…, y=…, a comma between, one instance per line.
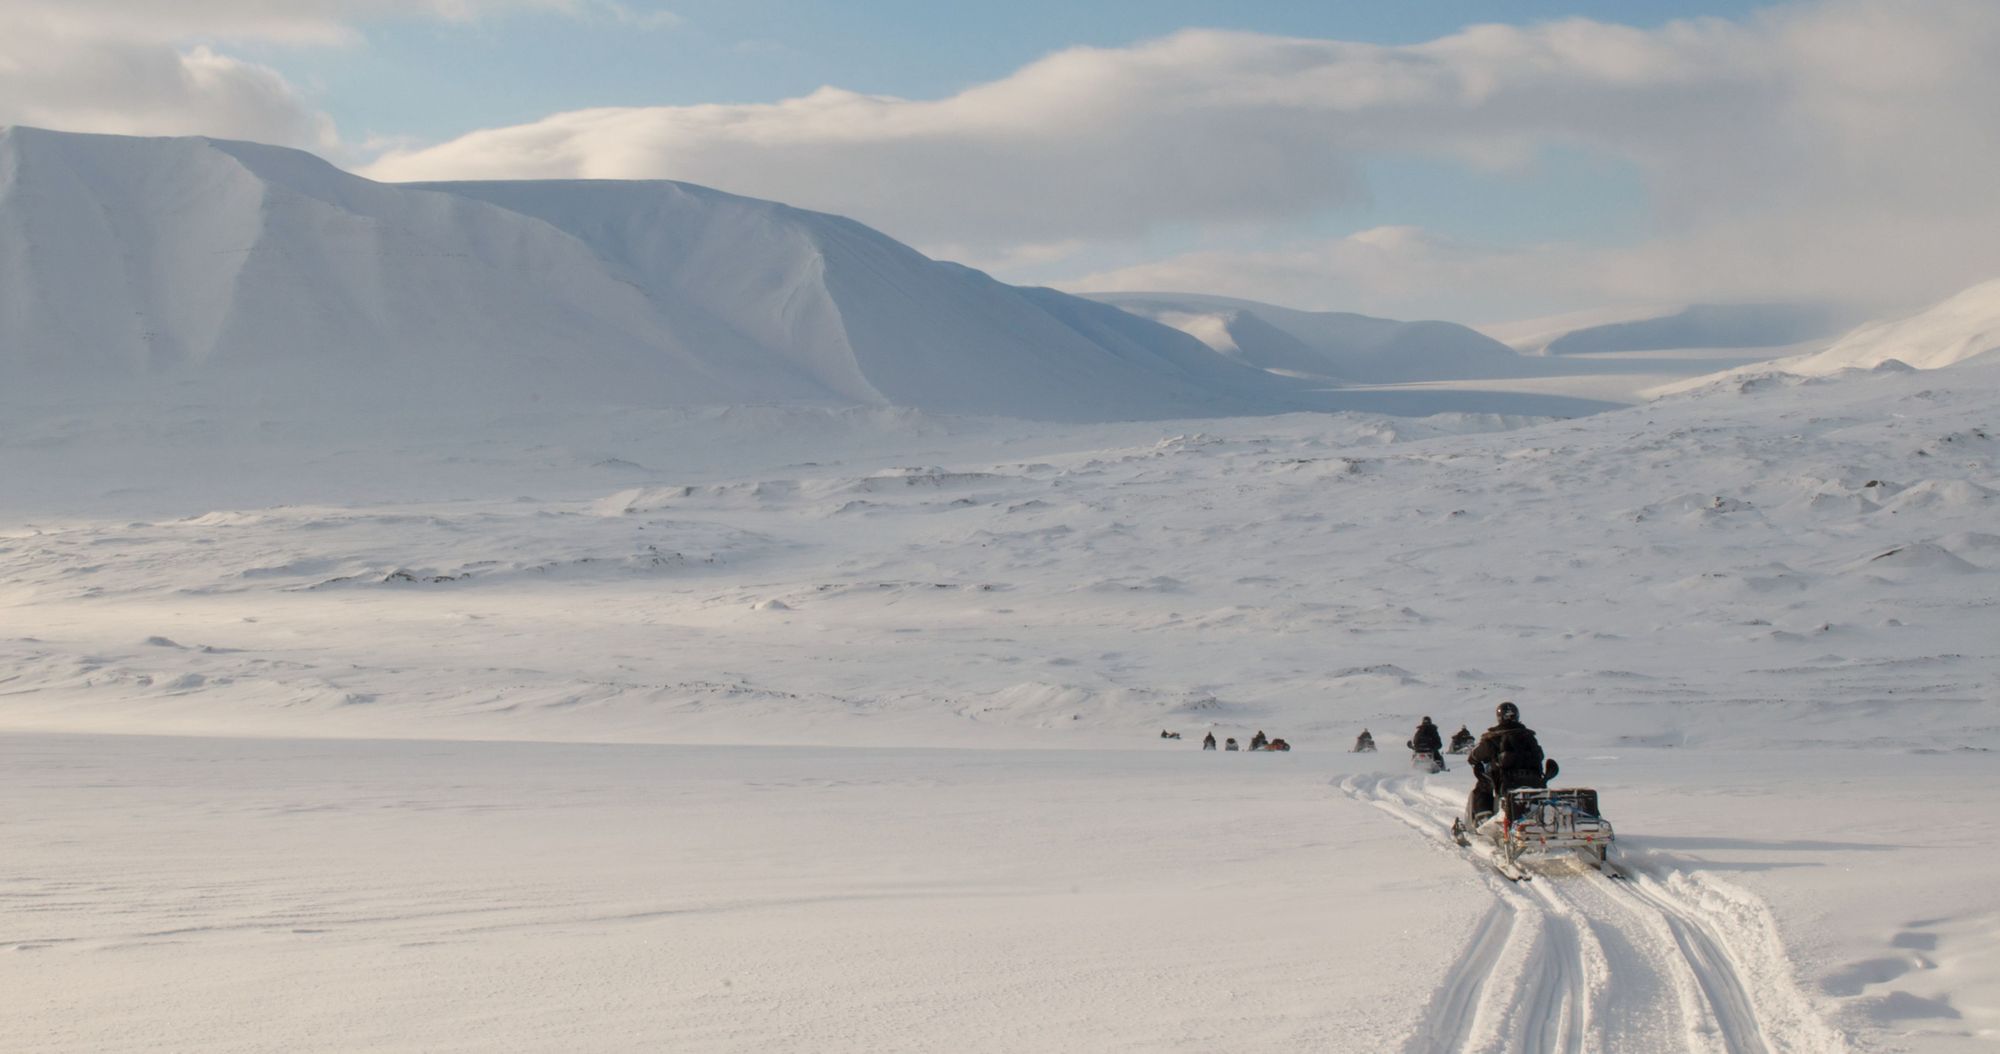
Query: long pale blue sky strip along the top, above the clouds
x=419, y=79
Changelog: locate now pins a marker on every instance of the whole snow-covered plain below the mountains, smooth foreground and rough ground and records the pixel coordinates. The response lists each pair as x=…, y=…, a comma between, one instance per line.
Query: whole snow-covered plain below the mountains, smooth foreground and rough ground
x=1759, y=617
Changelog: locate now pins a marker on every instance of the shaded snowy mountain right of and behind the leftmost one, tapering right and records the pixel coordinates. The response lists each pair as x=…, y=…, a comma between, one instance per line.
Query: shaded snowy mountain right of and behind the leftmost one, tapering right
x=875, y=319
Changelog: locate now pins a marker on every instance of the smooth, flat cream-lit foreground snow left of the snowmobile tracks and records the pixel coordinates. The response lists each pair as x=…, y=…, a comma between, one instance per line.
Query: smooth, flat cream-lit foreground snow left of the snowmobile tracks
x=339, y=895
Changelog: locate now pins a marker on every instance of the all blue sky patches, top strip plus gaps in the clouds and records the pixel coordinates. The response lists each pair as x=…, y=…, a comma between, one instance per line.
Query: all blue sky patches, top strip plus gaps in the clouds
x=431, y=81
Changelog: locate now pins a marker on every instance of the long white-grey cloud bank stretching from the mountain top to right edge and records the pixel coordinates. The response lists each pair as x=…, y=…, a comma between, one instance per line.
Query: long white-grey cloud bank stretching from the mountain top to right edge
x=1821, y=149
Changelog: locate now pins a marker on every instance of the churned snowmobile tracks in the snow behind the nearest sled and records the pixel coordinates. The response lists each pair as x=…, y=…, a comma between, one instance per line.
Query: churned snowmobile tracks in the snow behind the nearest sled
x=1671, y=963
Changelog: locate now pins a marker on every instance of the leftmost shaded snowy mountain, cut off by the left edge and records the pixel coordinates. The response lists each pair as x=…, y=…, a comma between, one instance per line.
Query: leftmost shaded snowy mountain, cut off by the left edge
x=133, y=267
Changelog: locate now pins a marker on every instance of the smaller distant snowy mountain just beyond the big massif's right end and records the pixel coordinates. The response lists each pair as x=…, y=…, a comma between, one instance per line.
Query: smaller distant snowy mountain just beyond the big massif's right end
x=1327, y=345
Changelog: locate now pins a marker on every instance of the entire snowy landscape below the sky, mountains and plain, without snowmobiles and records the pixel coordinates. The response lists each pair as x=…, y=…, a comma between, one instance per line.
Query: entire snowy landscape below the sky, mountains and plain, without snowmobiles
x=631, y=617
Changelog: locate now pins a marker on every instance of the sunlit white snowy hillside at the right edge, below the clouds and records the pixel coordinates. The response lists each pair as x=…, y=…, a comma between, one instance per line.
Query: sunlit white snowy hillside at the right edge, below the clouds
x=1945, y=335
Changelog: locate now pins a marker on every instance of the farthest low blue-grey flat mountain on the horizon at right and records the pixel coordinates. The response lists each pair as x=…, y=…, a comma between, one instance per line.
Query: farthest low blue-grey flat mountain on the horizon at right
x=1667, y=329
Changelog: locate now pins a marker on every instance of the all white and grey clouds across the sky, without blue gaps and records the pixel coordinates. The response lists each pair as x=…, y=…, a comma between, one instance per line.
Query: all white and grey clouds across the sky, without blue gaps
x=1835, y=149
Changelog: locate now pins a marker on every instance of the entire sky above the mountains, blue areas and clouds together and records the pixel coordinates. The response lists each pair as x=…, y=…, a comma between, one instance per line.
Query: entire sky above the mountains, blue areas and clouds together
x=1371, y=157
